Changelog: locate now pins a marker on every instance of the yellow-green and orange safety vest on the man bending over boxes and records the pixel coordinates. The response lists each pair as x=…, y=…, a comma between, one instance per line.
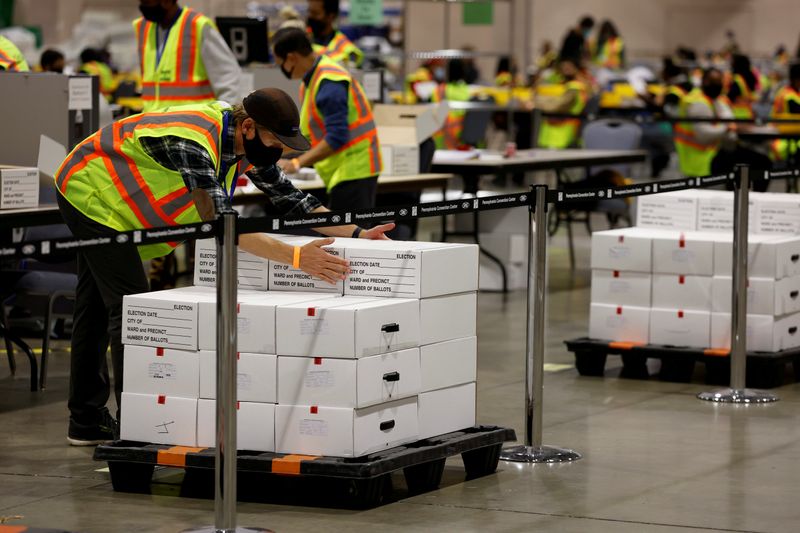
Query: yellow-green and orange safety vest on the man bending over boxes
x=113, y=181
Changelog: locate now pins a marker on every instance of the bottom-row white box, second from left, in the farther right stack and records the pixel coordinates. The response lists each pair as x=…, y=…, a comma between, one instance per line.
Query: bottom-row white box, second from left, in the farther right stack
x=675, y=327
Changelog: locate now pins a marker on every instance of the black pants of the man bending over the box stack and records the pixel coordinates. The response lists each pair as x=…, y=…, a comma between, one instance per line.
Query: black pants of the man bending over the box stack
x=105, y=275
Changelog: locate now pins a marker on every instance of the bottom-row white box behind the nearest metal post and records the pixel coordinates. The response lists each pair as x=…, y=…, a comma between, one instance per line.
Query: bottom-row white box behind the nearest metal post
x=255, y=425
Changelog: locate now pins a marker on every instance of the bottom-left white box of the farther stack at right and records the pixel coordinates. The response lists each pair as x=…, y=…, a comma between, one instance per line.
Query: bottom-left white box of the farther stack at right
x=619, y=323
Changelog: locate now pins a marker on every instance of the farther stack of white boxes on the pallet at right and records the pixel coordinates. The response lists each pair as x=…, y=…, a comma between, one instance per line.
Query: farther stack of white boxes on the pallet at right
x=668, y=280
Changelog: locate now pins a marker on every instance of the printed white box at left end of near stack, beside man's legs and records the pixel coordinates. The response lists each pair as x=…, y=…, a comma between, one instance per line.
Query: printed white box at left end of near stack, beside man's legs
x=164, y=319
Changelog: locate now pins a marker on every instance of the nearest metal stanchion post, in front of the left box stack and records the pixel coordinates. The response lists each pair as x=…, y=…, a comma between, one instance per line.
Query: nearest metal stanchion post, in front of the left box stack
x=225, y=464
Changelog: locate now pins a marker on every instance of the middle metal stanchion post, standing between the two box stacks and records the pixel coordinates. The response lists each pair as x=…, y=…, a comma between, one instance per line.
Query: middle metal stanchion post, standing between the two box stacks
x=533, y=451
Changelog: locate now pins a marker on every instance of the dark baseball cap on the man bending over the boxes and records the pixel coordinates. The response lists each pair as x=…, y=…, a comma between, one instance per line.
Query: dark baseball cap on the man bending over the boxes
x=274, y=110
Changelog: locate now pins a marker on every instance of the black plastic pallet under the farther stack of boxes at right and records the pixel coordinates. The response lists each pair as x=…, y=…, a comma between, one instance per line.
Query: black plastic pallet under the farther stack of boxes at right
x=765, y=370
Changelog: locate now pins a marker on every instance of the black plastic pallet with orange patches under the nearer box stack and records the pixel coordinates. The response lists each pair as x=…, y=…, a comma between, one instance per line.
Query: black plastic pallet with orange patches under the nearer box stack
x=350, y=482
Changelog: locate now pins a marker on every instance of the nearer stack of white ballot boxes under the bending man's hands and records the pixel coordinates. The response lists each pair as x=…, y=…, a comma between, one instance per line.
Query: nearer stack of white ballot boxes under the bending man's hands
x=385, y=358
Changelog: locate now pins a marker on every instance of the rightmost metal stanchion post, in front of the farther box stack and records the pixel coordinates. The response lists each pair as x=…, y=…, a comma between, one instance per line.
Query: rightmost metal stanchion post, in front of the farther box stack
x=738, y=392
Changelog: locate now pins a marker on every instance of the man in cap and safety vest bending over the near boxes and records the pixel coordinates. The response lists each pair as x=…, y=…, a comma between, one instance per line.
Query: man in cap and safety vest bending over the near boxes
x=175, y=166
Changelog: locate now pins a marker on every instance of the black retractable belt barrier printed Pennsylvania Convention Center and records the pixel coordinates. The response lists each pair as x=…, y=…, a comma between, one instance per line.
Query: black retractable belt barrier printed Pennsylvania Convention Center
x=206, y=230
